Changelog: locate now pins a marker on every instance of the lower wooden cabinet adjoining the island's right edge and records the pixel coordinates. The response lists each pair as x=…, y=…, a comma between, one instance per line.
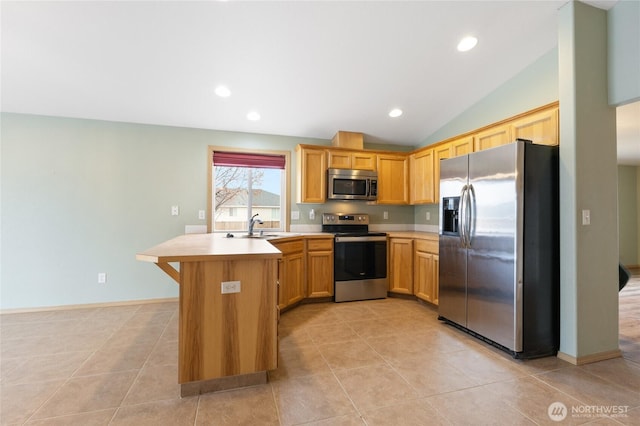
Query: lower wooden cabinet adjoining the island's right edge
x=291, y=272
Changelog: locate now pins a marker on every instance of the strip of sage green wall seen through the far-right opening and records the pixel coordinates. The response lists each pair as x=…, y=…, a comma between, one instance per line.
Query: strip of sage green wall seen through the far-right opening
x=628, y=218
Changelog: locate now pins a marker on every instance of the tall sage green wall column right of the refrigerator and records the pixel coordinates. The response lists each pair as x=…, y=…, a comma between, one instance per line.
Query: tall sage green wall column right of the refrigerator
x=588, y=180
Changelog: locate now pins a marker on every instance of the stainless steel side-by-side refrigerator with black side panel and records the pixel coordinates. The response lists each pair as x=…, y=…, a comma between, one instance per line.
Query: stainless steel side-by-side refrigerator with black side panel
x=499, y=246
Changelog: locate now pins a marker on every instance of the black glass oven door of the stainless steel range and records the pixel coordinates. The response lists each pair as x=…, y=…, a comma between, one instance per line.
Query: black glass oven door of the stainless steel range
x=360, y=260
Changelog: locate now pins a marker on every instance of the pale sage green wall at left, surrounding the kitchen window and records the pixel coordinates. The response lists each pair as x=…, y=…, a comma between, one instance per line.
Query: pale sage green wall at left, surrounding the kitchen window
x=82, y=196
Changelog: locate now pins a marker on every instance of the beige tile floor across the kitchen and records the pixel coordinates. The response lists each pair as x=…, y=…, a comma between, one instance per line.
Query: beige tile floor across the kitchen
x=386, y=362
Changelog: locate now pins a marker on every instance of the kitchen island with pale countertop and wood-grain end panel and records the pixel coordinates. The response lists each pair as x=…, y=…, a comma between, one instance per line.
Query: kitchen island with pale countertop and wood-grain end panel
x=227, y=309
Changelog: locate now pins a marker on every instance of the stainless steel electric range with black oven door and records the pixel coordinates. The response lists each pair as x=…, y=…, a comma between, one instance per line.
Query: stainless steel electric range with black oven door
x=360, y=257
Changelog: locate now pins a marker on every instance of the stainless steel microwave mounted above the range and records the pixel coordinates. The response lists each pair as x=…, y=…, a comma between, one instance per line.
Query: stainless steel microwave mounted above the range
x=343, y=184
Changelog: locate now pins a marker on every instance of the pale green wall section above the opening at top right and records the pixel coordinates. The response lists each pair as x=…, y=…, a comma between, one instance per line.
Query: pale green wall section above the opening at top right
x=624, y=52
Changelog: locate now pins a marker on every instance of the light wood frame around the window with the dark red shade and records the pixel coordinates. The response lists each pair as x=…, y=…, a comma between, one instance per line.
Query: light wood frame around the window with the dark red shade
x=286, y=186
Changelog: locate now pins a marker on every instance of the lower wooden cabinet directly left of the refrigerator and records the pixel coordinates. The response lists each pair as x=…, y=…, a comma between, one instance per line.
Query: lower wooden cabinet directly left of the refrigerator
x=426, y=269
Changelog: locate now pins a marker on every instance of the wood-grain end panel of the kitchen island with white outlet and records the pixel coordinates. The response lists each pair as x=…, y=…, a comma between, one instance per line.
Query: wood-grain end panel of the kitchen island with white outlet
x=231, y=334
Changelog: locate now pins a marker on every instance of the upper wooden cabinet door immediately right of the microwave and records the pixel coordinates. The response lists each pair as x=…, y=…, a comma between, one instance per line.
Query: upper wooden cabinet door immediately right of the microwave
x=393, y=179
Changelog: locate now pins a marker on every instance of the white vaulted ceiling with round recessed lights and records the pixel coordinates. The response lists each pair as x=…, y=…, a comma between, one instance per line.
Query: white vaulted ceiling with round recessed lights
x=309, y=68
